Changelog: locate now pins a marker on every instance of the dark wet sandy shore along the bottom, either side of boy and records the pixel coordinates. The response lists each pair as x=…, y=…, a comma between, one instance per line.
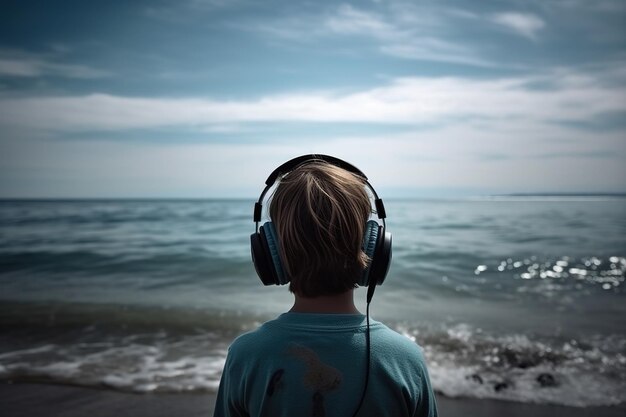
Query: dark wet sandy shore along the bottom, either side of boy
x=39, y=400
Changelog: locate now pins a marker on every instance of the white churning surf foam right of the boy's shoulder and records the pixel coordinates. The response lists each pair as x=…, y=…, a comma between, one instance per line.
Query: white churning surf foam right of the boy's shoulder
x=466, y=363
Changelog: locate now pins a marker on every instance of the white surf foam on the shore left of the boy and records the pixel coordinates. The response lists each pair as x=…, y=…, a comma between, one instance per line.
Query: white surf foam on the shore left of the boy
x=137, y=363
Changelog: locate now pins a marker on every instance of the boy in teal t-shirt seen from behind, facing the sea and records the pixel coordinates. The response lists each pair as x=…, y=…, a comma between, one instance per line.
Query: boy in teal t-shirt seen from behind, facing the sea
x=322, y=357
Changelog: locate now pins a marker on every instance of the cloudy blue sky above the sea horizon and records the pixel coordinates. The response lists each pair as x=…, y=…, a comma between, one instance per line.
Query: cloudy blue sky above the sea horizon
x=204, y=98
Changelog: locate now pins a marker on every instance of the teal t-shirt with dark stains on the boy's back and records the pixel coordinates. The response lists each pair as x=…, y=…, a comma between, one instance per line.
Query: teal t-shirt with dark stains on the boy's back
x=313, y=365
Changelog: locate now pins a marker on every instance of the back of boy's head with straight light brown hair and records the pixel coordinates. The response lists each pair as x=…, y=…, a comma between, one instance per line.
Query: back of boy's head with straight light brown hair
x=320, y=212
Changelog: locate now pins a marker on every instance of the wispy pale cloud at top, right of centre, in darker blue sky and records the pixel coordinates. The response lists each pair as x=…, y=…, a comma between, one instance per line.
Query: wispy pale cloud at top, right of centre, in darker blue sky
x=403, y=32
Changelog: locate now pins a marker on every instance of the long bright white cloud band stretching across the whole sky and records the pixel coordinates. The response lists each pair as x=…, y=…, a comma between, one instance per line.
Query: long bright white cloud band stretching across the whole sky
x=565, y=95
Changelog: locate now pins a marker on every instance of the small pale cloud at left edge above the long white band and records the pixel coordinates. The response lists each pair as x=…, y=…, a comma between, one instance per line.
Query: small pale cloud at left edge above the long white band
x=28, y=65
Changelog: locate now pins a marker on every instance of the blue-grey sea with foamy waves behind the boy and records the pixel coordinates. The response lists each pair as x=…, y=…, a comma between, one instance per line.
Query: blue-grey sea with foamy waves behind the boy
x=518, y=299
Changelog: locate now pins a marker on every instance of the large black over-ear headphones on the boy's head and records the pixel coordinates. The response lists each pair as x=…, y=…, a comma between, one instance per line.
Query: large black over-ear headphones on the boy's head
x=265, y=244
